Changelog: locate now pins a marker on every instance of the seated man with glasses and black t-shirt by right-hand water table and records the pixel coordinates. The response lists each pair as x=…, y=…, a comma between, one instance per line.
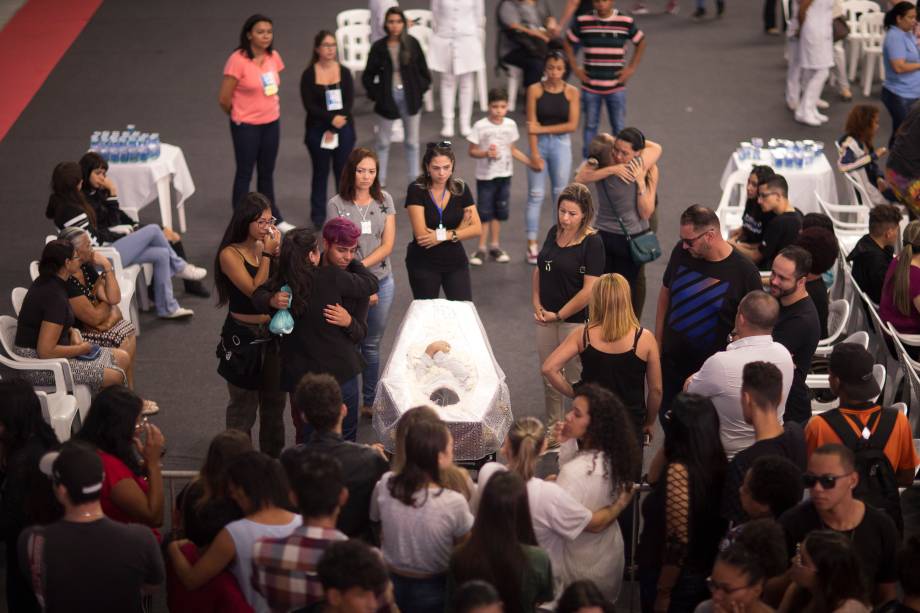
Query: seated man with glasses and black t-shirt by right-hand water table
x=781, y=230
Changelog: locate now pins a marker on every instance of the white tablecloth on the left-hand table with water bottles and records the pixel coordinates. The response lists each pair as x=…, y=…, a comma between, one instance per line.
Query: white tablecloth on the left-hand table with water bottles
x=139, y=183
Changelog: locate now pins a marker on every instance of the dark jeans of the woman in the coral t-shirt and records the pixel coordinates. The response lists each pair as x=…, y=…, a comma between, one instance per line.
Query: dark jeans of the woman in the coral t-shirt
x=255, y=145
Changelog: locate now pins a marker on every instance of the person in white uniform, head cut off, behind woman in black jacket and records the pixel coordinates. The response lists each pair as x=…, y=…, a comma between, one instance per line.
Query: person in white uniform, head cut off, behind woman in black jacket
x=456, y=52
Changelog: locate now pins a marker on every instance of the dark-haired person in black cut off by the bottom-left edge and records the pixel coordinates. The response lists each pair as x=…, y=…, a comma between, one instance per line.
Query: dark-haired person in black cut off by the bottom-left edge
x=26, y=495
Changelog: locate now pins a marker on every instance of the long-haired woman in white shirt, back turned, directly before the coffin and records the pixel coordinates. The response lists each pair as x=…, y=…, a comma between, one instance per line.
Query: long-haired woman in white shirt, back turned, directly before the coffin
x=421, y=520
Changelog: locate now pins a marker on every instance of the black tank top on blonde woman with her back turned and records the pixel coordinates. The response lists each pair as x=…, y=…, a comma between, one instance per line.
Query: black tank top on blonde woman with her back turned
x=621, y=373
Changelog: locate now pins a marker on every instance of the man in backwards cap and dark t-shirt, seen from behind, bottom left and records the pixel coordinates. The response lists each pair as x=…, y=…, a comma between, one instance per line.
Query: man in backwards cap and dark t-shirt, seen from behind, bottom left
x=87, y=562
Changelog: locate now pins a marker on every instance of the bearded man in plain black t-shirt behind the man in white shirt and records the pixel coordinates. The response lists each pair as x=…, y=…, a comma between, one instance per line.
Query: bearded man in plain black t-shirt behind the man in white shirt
x=798, y=328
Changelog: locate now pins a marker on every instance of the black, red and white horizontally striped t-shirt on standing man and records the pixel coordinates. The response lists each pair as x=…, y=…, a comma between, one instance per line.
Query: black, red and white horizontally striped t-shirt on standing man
x=603, y=40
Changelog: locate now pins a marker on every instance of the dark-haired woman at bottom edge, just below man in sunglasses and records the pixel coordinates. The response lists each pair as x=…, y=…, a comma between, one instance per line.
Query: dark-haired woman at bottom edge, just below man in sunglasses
x=826, y=577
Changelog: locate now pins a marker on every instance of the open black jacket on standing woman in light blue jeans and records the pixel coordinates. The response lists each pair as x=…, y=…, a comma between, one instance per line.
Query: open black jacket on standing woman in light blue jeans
x=378, y=78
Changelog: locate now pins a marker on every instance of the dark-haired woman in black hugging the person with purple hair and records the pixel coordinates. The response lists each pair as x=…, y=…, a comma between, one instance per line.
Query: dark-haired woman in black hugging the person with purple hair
x=315, y=345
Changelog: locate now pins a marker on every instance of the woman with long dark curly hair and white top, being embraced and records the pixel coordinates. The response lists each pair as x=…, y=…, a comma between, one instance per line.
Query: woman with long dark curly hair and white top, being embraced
x=599, y=460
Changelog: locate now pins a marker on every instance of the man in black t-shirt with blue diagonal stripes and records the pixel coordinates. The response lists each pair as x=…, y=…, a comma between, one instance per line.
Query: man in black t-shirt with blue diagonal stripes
x=705, y=280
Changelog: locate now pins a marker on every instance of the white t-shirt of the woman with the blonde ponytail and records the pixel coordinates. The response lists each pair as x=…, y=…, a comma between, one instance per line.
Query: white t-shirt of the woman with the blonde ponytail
x=557, y=517
